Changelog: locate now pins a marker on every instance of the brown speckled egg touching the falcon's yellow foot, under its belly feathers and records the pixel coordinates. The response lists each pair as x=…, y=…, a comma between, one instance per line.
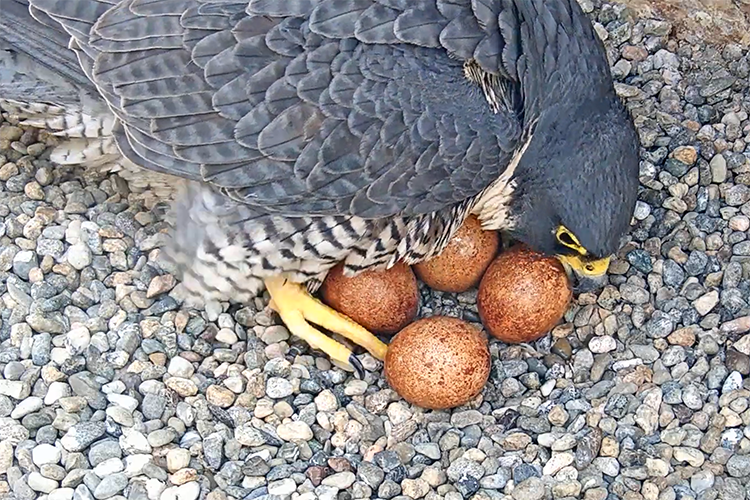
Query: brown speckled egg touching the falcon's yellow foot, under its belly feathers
x=383, y=301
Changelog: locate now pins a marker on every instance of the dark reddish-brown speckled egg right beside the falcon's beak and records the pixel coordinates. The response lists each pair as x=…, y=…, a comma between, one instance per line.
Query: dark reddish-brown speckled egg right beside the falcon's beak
x=523, y=295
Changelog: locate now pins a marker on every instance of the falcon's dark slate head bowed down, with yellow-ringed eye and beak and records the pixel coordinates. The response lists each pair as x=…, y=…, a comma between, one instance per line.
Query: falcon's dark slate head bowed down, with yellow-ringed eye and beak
x=575, y=187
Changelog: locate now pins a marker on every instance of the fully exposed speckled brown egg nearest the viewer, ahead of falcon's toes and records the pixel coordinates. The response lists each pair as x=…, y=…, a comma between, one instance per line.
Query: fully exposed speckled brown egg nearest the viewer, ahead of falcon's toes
x=438, y=362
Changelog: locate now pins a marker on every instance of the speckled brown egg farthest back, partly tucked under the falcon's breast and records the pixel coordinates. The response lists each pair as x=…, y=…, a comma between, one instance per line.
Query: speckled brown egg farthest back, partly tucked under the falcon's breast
x=462, y=263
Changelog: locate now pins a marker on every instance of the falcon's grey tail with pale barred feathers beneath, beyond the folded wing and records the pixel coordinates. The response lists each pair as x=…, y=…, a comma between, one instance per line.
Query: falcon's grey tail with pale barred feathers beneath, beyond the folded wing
x=43, y=86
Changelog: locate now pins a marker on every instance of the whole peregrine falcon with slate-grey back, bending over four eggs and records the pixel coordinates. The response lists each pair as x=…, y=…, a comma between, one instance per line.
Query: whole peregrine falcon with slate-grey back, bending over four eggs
x=314, y=132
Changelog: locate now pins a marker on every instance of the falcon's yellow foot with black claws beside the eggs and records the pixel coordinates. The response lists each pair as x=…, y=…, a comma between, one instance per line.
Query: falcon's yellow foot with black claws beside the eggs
x=298, y=309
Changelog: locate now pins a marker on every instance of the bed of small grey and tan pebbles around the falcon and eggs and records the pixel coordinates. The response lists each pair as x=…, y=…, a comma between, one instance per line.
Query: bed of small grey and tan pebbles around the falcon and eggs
x=112, y=389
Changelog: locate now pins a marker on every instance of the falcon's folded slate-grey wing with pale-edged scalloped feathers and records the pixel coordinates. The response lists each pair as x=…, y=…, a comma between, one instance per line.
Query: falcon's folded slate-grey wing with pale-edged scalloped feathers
x=306, y=106
